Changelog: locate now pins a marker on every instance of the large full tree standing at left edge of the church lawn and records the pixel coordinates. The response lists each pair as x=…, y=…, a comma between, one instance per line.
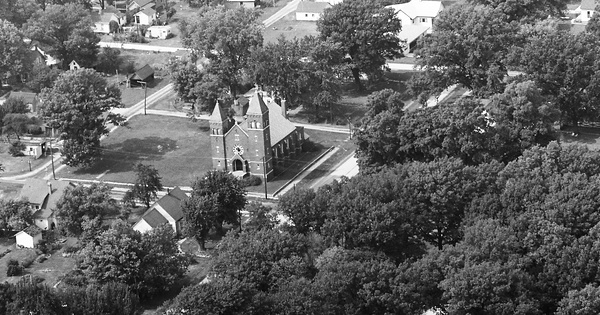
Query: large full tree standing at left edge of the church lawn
x=76, y=105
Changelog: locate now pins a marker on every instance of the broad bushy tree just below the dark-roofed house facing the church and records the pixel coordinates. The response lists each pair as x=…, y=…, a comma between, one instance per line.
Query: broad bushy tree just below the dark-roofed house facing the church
x=149, y=263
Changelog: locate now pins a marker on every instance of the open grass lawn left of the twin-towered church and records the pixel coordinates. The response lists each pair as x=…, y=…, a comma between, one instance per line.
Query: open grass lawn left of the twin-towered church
x=178, y=148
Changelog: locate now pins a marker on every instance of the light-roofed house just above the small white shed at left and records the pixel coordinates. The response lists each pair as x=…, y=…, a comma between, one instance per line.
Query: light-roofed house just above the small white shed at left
x=43, y=196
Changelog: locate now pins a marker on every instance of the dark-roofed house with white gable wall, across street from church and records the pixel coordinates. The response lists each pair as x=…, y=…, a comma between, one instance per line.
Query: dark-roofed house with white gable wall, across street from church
x=166, y=210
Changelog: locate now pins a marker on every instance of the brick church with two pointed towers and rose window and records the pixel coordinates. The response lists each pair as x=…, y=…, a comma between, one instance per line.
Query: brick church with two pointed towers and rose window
x=263, y=140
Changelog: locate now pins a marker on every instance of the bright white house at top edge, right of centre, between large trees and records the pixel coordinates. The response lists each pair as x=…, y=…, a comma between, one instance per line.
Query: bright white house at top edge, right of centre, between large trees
x=418, y=17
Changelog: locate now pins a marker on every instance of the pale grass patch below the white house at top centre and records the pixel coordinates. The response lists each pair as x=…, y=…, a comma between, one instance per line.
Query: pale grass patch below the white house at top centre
x=289, y=28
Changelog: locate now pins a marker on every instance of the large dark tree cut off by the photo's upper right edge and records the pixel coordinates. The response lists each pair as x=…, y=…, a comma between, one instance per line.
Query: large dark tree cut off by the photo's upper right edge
x=566, y=68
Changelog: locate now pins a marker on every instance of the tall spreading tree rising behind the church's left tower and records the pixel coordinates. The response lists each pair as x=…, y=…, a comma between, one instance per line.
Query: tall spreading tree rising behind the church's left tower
x=226, y=38
